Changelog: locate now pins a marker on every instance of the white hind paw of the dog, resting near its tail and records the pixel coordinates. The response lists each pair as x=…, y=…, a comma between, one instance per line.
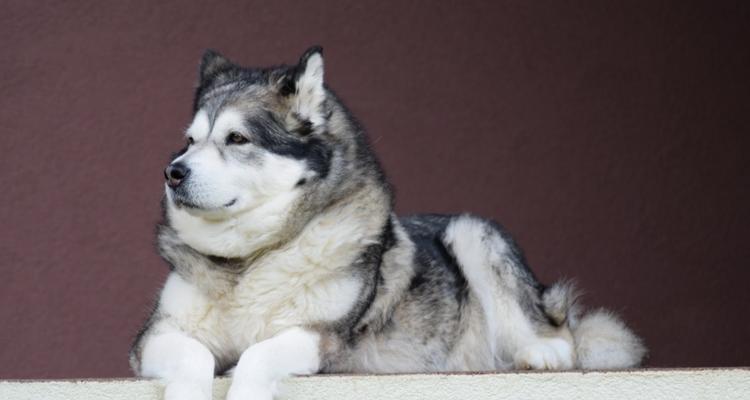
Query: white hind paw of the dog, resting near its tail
x=546, y=353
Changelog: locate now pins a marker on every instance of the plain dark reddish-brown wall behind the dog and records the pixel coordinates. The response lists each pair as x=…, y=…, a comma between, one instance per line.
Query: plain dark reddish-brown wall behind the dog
x=610, y=138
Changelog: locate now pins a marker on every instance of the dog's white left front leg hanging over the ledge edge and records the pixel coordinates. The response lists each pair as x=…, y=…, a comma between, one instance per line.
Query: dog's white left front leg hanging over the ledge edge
x=185, y=365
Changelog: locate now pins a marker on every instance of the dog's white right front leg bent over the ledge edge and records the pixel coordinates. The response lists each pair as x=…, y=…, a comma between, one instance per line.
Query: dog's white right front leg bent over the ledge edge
x=293, y=352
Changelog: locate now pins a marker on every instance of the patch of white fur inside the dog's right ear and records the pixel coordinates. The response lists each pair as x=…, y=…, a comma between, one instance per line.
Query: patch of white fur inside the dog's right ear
x=310, y=91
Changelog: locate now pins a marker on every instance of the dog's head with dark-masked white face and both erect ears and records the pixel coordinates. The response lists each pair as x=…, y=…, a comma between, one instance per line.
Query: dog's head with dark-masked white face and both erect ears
x=265, y=149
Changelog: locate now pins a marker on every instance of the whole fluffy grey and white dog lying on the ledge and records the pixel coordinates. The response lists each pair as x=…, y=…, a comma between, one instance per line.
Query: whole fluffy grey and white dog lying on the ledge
x=286, y=258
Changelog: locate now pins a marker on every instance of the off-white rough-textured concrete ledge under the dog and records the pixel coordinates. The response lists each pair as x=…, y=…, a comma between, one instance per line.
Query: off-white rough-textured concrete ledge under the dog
x=670, y=384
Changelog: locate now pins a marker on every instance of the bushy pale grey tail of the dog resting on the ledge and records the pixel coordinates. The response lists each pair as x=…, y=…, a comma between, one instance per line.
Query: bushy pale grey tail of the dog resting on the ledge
x=601, y=338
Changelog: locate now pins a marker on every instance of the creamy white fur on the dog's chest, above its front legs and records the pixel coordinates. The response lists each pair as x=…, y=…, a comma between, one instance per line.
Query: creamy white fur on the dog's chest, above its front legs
x=299, y=283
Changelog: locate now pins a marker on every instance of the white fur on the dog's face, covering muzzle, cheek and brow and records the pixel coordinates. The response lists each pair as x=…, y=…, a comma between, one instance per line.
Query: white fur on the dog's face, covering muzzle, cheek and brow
x=261, y=194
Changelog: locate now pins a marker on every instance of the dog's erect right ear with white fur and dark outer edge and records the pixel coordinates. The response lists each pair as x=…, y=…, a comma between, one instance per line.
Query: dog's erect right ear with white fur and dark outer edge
x=308, y=96
